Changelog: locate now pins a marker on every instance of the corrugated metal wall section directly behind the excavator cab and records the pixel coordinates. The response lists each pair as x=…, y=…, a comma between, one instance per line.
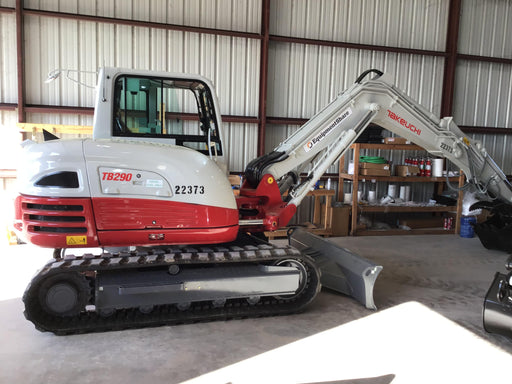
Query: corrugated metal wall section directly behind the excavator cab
x=231, y=63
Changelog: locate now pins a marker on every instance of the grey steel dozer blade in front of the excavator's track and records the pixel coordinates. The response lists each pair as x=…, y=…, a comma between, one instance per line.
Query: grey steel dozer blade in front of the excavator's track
x=341, y=270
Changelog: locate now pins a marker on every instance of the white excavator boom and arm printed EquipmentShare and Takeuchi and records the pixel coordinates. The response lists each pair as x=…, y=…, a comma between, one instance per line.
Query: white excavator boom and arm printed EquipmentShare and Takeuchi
x=328, y=135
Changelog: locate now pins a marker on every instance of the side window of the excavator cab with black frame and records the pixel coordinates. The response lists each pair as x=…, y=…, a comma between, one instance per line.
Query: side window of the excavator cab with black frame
x=176, y=109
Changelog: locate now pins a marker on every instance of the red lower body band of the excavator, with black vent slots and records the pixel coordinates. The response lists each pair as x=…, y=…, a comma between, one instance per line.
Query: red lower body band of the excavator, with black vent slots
x=52, y=222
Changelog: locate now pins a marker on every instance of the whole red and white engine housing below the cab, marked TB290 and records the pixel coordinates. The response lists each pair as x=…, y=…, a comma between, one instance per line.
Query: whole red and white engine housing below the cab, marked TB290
x=123, y=193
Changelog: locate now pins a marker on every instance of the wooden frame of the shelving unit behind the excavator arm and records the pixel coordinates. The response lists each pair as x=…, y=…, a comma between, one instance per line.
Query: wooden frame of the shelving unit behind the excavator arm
x=358, y=209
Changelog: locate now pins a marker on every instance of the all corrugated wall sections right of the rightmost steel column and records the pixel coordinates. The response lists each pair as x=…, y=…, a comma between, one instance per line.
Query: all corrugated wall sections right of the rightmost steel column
x=483, y=90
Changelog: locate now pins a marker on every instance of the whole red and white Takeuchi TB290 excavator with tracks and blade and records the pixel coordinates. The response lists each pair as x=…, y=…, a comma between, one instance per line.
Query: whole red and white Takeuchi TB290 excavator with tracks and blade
x=150, y=189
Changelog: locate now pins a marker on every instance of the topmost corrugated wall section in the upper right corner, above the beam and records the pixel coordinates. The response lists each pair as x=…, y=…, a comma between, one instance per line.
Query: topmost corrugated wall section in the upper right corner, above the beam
x=486, y=27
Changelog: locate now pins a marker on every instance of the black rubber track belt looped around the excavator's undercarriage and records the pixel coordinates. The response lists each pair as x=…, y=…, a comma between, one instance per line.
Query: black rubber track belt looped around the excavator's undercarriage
x=91, y=321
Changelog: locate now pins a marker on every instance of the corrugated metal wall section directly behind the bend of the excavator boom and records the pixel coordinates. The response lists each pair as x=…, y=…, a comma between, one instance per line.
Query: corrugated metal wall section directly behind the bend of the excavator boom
x=303, y=78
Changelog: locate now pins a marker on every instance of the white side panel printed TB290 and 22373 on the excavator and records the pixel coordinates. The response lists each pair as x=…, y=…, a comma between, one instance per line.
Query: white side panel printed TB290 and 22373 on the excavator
x=162, y=169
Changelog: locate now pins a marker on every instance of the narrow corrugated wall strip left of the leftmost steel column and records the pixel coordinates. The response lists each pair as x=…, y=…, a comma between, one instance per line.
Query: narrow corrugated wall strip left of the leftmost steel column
x=8, y=70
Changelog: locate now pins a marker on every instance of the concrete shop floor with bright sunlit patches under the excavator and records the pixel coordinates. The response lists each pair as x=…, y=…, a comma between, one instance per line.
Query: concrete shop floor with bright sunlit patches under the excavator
x=427, y=329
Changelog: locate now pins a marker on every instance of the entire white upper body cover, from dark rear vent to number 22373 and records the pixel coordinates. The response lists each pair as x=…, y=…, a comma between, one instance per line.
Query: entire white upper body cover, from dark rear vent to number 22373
x=162, y=169
